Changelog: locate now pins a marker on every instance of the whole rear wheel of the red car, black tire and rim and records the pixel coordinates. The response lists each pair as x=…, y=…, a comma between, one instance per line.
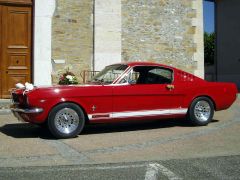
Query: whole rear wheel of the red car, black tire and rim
x=201, y=111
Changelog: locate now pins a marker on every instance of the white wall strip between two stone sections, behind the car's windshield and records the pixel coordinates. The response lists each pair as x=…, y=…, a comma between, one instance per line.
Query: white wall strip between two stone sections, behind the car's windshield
x=107, y=33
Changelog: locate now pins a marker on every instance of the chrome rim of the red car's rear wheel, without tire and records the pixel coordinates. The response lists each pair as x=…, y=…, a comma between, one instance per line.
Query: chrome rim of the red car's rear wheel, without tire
x=202, y=111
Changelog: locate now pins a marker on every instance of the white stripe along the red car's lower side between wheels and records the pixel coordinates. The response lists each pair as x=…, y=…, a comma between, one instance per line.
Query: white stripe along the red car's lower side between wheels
x=139, y=113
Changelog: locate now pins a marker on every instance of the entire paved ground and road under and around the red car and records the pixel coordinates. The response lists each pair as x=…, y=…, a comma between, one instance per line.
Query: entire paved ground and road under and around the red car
x=169, y=149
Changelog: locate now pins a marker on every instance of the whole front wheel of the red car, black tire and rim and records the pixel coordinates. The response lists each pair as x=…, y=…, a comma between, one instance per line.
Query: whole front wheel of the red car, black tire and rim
x=66, y=120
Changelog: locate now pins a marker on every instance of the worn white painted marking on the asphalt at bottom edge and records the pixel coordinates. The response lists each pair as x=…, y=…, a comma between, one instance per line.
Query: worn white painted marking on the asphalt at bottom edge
x=154, y=169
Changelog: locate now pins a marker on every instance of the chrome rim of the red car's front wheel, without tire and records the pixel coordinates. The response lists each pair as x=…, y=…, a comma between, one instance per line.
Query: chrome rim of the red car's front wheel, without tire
x=66, y=120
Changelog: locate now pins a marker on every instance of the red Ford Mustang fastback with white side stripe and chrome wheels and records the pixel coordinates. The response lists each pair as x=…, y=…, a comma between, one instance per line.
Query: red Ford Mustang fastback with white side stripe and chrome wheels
x=123, y=92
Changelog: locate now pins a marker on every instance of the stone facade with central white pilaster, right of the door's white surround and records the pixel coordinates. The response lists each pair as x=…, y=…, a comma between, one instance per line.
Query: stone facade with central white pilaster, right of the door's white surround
x=90, y=34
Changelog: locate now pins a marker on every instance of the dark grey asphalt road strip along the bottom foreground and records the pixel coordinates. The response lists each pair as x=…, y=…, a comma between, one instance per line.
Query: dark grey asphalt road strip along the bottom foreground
x=227, y=167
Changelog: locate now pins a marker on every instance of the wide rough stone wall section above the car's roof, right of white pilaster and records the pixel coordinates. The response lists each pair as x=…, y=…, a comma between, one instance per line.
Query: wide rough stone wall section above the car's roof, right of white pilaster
x=160, y=31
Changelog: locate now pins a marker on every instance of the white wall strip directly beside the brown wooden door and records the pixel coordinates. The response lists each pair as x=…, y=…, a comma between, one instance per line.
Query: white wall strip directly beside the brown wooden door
x=44, y=10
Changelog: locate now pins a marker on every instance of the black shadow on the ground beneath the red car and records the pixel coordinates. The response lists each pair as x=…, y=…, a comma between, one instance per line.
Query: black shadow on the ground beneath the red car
x=26, y=130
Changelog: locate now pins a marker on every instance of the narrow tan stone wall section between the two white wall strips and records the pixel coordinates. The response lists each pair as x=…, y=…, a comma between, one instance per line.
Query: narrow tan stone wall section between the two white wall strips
x=72, y=36
